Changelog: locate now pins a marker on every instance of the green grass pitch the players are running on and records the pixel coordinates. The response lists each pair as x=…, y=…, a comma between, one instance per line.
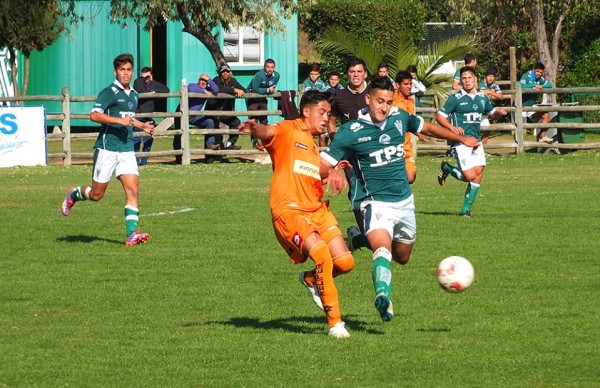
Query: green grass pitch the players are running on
x=211, y=299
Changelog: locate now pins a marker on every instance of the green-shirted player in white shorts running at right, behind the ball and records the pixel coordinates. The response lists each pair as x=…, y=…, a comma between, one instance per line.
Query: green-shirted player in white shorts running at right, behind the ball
x=463, y=113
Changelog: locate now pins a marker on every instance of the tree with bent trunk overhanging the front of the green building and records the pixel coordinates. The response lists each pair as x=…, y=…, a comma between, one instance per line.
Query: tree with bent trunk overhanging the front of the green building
x=202, y=18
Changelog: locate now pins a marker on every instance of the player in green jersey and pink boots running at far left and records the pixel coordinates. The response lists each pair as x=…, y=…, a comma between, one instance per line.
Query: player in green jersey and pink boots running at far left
x=113, y=151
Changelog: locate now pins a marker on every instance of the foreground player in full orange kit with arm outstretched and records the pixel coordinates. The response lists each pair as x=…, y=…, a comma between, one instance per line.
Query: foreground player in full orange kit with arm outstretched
x=303, y=224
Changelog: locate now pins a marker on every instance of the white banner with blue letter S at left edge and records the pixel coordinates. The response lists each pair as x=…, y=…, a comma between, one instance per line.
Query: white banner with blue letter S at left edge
x=23, y=139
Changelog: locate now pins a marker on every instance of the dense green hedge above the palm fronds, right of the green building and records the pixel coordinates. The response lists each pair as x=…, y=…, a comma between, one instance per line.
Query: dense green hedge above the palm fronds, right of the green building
x=372, y=21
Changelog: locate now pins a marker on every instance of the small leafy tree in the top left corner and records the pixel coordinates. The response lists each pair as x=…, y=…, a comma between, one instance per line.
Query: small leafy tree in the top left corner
x=26, y=26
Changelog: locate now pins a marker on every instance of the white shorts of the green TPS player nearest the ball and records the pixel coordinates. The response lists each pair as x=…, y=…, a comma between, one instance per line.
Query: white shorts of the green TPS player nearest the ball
x=398, y=218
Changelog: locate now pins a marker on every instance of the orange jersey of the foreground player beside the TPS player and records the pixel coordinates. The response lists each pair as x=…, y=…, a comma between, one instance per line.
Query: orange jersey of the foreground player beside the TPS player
x=296, y=181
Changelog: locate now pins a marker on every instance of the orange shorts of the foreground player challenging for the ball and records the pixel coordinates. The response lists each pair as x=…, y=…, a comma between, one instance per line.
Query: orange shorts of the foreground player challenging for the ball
x=293, y=226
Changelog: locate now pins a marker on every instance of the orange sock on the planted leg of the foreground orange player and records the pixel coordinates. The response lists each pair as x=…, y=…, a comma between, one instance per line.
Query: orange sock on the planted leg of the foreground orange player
x=323, y=273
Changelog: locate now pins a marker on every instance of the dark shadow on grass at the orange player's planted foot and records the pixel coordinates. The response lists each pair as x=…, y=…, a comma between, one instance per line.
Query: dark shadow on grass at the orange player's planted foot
x=291, y=324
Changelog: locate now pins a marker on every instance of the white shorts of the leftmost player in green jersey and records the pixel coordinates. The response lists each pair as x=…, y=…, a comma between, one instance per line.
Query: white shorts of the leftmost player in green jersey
x=107, y=162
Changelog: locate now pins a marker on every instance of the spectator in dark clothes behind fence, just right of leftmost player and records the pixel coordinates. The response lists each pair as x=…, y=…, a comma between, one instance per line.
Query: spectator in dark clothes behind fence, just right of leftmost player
x=146, y=84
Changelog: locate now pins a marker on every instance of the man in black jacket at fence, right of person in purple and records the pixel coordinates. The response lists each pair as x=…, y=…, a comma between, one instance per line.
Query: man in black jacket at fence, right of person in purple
x=227, y=84
